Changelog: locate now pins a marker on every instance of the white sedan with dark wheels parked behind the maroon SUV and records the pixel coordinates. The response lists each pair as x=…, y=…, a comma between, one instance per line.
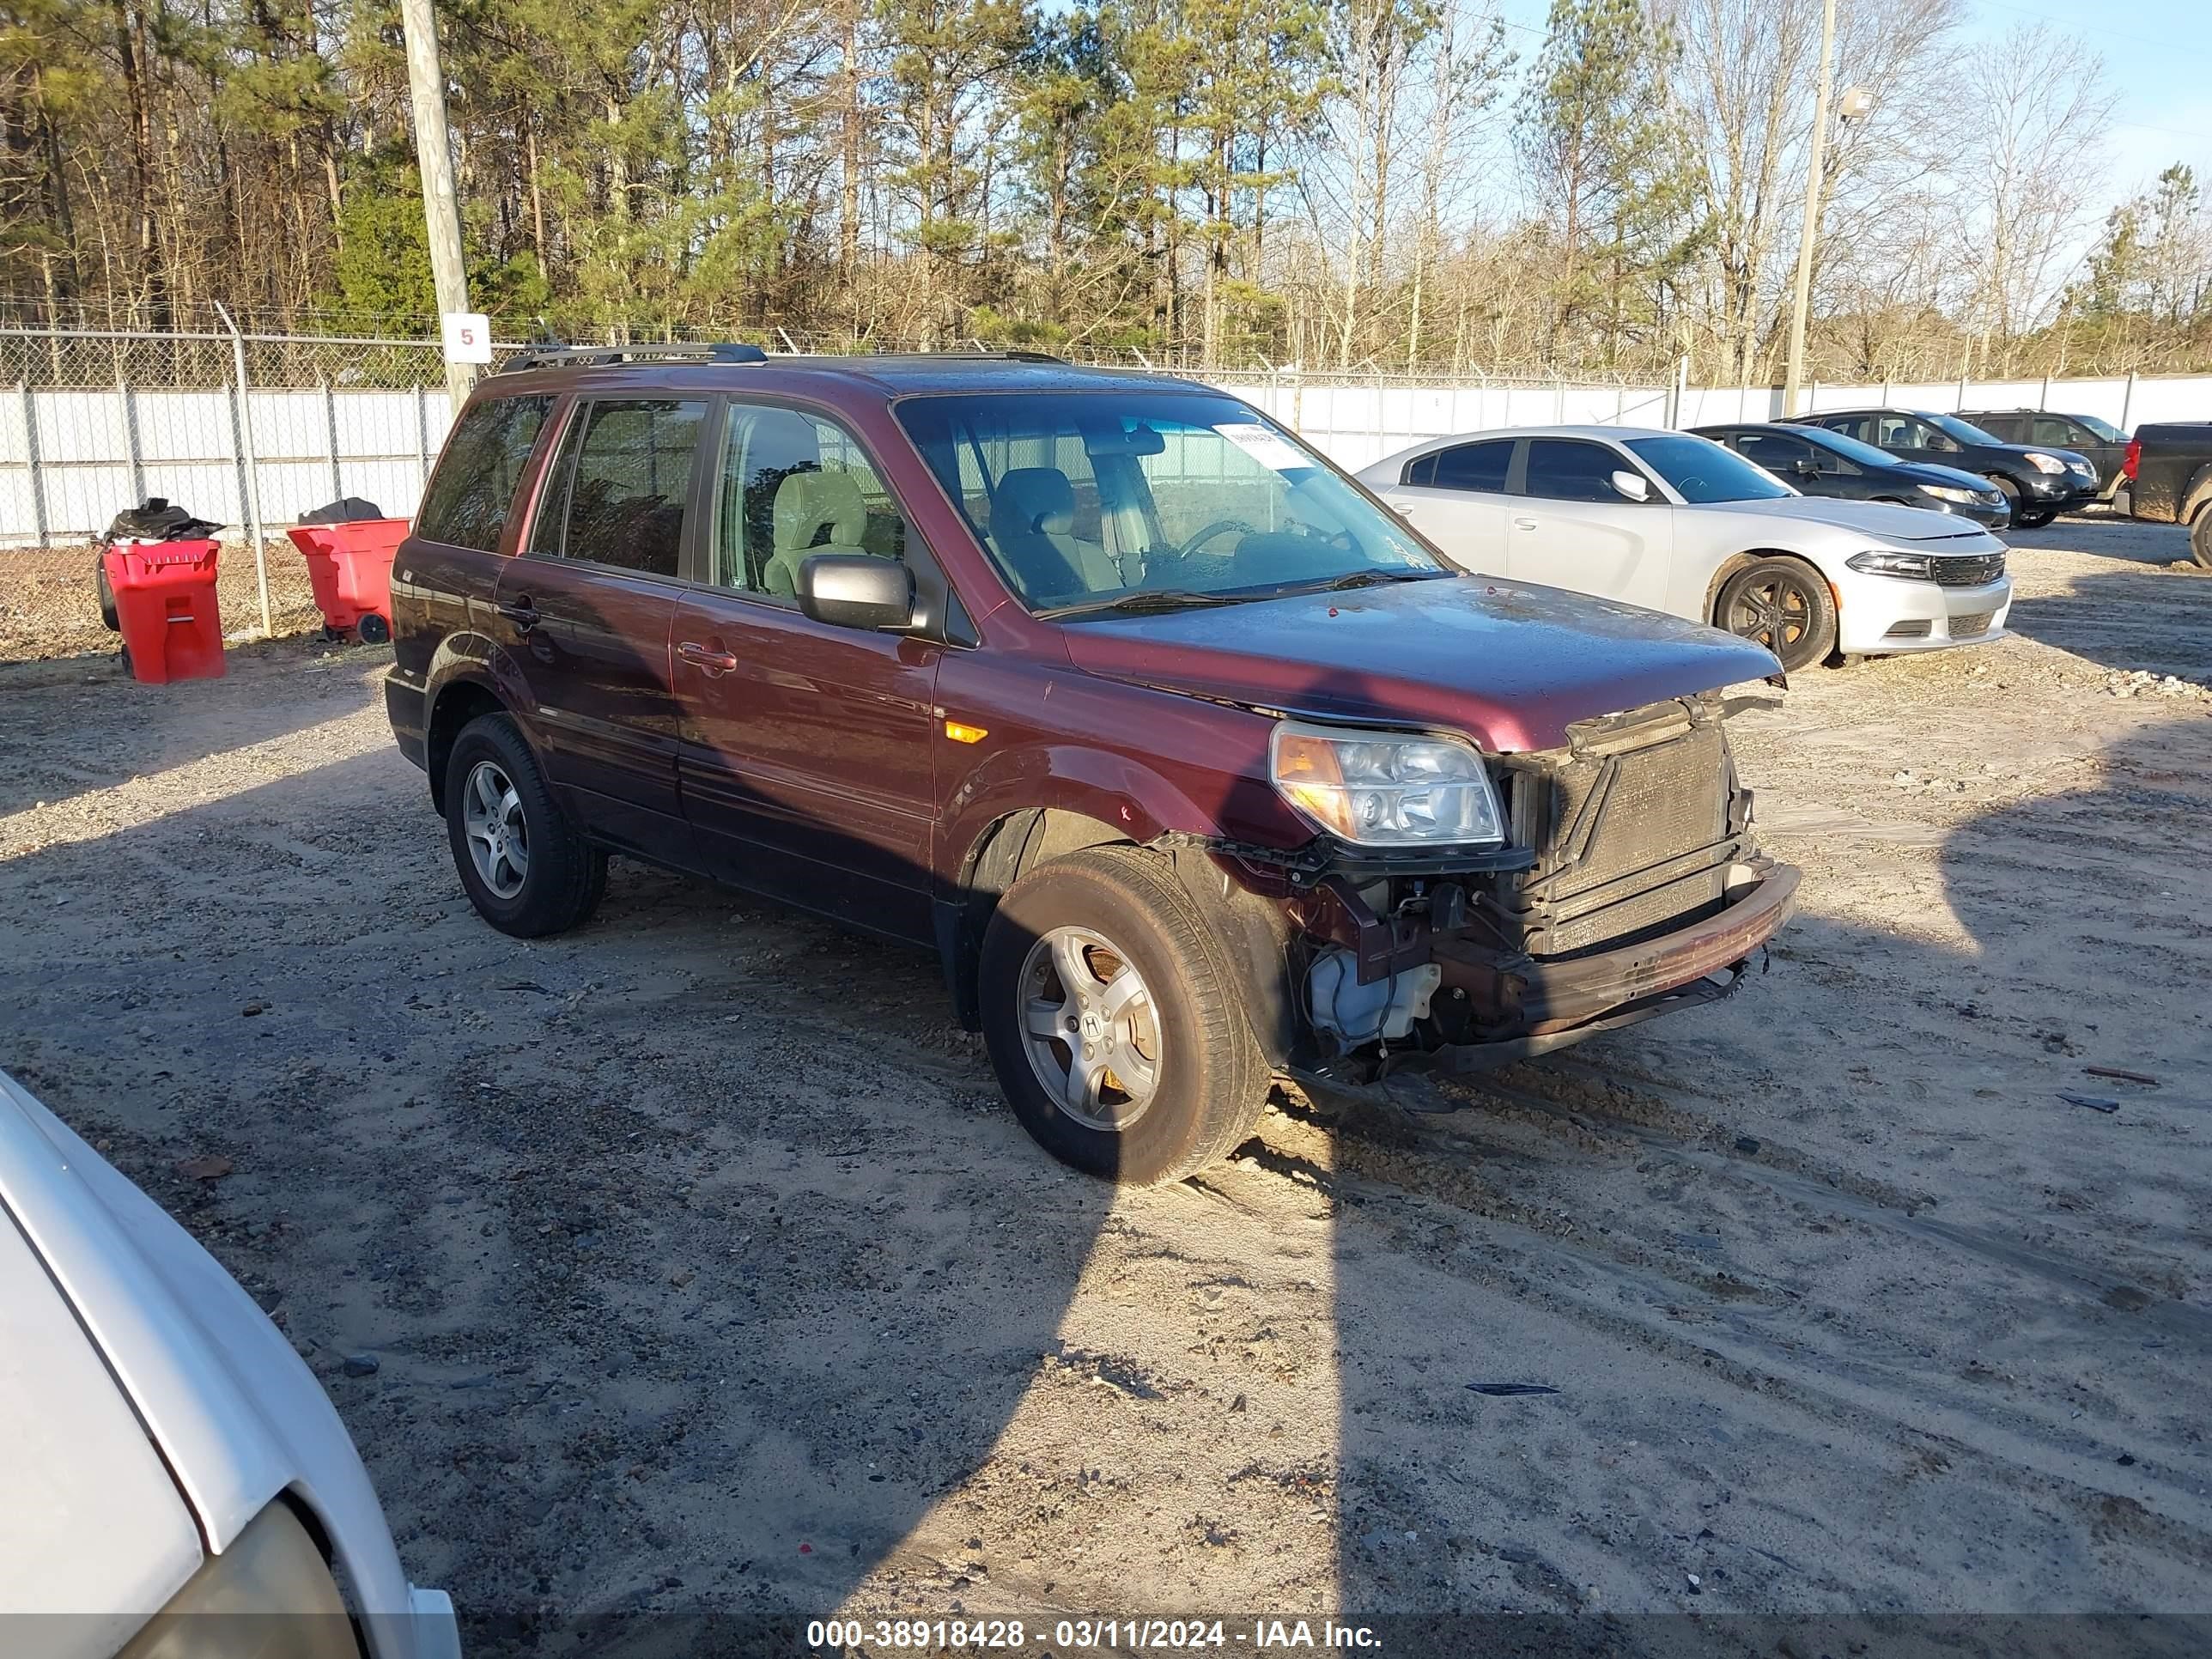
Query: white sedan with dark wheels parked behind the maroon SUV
x=1678, y=523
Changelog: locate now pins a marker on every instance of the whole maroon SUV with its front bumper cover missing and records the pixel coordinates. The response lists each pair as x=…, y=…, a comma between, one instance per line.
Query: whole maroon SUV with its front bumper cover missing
x=1191, y=762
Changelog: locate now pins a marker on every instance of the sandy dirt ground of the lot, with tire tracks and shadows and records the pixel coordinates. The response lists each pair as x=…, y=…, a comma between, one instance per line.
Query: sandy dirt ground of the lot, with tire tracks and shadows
x=707, y=1271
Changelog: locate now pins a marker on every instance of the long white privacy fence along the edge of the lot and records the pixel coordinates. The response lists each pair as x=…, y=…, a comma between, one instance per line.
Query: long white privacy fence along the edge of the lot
x=258, y=430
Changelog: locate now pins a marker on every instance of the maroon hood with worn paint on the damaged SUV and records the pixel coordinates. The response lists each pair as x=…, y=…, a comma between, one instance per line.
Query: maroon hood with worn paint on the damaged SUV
x=1510, y=665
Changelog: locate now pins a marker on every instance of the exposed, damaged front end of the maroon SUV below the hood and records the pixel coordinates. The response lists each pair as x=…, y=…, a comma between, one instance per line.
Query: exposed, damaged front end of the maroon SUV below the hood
x=1627, y=886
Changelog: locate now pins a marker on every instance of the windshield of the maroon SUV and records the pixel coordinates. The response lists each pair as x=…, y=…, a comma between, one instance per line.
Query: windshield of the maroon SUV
x=1096, y=501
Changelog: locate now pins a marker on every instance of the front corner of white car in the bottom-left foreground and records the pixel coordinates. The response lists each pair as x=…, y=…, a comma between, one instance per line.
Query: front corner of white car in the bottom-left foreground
x=178, y=1485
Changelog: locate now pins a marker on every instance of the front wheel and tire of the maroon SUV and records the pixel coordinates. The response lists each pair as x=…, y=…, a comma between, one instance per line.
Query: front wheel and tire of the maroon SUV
x=1116, y=1025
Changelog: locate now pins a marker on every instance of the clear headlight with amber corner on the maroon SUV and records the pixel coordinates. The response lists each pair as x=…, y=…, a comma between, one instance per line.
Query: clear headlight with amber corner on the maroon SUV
x=1386, y=789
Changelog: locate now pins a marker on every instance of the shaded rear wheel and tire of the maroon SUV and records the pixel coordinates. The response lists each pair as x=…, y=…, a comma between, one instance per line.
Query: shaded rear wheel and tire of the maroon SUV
x=521, y=859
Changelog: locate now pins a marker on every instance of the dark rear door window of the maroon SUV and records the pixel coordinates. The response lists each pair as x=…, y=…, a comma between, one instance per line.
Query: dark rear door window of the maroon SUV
x=620, y=486
